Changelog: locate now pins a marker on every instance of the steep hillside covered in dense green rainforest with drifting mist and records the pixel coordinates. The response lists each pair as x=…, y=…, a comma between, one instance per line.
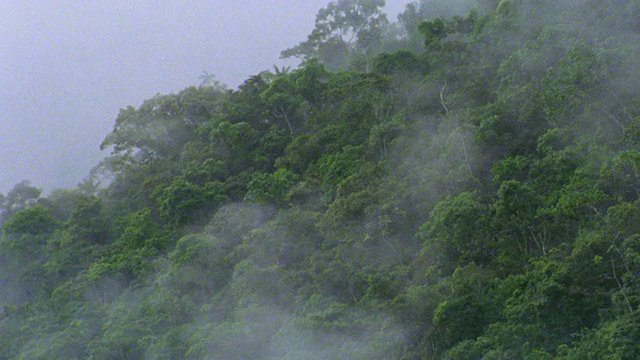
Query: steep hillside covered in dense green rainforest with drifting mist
x=462, y=183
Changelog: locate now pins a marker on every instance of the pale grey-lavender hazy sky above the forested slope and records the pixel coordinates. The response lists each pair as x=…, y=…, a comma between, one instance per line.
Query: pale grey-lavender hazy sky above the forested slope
x=68, y=66
